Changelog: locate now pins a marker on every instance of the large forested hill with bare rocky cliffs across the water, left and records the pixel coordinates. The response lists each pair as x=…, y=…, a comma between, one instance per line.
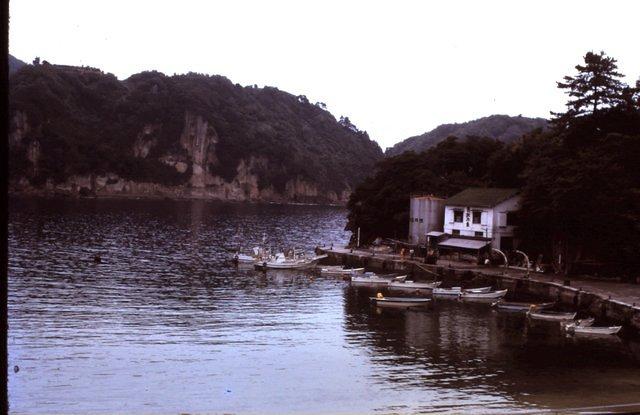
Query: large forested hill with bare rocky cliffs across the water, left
x=81, y=130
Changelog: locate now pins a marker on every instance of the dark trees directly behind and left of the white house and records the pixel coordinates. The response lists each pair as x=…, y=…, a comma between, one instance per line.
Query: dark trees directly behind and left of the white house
x=380, y=205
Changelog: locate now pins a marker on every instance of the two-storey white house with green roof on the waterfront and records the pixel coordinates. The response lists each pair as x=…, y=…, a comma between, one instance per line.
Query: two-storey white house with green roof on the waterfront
x=483, y=213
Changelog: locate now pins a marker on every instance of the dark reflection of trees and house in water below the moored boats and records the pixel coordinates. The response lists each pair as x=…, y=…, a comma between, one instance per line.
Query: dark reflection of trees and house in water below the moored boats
x=492, y=359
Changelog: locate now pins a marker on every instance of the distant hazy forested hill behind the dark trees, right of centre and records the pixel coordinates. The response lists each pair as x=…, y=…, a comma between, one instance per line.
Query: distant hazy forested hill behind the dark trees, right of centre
x=501, y=127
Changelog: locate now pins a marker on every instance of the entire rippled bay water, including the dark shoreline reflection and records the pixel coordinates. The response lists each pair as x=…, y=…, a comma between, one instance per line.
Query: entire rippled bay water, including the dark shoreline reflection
x=165, y=325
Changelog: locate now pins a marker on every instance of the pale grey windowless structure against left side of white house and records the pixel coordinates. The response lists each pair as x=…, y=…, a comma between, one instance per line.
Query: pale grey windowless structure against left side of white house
x=426, y=214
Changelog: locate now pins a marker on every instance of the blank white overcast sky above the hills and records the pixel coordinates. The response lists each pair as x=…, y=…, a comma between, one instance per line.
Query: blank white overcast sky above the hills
x=395, y=68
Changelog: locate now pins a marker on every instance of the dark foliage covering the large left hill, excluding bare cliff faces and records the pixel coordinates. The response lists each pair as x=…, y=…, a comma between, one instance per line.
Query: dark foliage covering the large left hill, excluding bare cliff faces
x=87, y=121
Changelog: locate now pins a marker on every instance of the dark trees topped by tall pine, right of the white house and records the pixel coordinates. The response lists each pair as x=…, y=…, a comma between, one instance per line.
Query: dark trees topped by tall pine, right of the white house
x=581, y=194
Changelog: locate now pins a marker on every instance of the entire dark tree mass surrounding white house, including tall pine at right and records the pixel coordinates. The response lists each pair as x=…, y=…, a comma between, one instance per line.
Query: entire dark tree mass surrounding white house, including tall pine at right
x=580, y=180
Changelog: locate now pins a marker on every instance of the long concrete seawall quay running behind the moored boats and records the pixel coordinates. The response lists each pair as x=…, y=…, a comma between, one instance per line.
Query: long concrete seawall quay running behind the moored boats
x=579, y=296
